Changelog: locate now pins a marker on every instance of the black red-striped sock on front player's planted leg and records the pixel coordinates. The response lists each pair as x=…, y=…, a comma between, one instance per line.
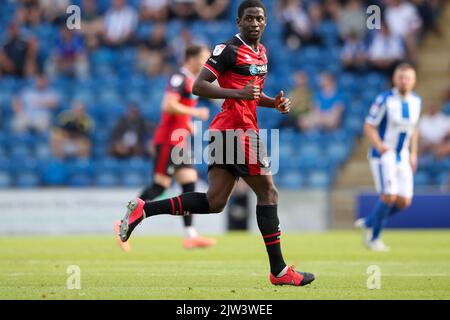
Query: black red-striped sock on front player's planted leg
x=269, y=225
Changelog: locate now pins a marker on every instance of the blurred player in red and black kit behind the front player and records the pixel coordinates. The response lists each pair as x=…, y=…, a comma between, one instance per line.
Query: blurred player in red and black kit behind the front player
x=178, y=107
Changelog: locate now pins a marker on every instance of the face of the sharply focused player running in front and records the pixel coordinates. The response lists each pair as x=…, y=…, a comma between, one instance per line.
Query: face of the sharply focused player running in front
x=252, y=23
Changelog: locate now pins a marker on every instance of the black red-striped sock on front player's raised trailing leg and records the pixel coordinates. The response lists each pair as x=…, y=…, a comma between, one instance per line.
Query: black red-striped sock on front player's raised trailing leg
x=185, y=204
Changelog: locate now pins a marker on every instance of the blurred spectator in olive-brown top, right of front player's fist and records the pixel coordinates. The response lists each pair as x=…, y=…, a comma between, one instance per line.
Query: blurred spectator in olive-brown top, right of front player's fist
x=301, y=99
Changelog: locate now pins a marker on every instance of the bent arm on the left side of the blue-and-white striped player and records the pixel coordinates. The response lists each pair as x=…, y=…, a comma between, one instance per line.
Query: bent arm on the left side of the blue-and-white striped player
x=373, y=120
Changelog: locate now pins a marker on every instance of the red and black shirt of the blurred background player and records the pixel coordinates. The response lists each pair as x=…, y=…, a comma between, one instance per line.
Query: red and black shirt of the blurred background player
x=180, y=83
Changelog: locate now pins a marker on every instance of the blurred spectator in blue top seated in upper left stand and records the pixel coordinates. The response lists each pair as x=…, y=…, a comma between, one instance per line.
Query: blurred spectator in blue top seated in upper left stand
x=69, y=55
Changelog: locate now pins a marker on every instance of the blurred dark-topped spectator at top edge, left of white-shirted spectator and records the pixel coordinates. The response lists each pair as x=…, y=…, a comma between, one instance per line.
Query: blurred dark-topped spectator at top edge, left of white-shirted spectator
x=91, y=23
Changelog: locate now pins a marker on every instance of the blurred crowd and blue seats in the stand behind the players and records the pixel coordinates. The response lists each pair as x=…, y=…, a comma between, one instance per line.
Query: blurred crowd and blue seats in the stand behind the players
x=321, y=51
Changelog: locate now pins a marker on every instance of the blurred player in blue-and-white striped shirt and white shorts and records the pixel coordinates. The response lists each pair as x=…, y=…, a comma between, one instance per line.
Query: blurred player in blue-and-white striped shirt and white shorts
x=391, y=127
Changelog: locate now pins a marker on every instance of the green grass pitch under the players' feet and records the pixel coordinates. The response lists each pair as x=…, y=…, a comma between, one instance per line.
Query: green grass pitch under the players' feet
x=418, y=267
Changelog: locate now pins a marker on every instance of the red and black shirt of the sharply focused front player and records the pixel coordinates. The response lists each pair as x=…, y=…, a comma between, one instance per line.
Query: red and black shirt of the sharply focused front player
x=235, y=63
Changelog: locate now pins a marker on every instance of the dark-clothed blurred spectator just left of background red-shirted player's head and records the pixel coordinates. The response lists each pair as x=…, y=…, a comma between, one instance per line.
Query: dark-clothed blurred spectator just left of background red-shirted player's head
x=154, y=52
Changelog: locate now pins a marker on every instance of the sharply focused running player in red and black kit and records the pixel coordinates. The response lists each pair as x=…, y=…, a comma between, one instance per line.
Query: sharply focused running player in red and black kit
x=240, y=66
